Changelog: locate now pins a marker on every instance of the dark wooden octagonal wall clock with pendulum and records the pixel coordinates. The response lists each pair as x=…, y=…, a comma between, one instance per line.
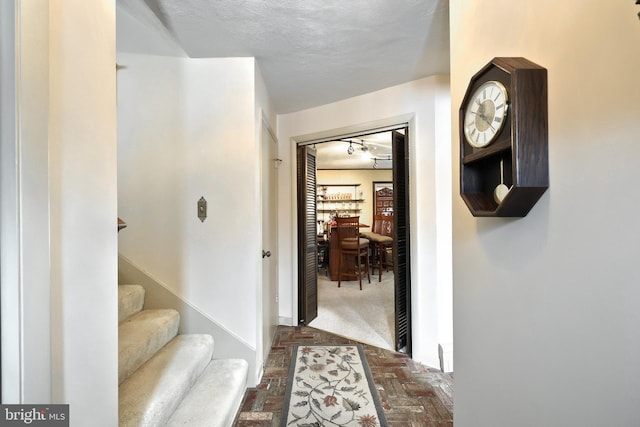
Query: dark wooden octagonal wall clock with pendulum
x=503, y=123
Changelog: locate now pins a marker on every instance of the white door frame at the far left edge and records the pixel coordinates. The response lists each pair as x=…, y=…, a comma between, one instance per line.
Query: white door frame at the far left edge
x=25, y=258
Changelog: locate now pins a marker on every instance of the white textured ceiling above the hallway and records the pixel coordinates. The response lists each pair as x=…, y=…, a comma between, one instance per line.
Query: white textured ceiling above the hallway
x=313, y=52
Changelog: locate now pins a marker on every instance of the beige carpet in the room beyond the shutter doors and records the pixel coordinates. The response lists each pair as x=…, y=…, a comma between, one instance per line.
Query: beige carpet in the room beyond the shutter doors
x=365, y=315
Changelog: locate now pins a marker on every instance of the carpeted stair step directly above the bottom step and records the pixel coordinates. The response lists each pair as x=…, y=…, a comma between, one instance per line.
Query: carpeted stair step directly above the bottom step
x=150, y=395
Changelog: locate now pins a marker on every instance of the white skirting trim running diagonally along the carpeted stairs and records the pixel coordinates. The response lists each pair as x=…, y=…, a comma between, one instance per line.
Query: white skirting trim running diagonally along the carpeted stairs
x=192, y=321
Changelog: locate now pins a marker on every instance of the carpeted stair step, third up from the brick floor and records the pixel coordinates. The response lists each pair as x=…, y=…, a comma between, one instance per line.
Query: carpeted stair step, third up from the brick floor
x=141, y=336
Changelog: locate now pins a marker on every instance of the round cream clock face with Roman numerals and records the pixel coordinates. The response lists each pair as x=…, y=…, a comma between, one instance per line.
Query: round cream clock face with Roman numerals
x=485, y=114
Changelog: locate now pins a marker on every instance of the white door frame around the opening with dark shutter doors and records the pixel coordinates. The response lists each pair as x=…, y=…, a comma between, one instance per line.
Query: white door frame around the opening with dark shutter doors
x=401, y=122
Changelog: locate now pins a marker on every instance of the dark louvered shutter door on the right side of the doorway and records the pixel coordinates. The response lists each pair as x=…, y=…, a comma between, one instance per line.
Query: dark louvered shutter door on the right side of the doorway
x=401, y=242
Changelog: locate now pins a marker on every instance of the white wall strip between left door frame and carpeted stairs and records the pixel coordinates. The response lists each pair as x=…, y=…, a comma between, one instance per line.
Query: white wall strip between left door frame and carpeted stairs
x=83, y=202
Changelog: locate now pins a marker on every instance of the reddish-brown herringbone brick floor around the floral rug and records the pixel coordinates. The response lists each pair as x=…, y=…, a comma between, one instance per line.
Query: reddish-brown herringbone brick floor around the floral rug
x=412, y=394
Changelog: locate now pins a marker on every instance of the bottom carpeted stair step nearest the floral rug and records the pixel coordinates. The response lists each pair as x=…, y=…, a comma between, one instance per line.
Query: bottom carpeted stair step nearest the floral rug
x=214, y=400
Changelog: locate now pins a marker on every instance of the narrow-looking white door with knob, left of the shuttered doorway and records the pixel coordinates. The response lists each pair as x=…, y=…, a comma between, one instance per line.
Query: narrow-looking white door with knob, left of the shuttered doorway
x=269, y=239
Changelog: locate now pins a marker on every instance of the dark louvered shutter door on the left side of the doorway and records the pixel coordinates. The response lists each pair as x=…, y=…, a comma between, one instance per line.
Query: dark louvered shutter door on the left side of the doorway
x=307, y=236
